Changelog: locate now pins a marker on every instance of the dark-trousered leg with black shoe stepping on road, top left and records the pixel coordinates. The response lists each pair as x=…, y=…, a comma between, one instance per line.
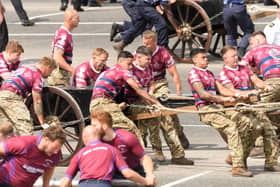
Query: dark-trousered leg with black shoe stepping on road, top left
x=17, y=4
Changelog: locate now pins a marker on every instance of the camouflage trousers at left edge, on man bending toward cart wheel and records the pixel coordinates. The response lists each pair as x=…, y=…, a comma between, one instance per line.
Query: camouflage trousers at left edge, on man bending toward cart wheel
x=13, y=110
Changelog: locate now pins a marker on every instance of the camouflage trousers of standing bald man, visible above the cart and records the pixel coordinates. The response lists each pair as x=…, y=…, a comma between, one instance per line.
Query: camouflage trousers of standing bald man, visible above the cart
x=59, y=77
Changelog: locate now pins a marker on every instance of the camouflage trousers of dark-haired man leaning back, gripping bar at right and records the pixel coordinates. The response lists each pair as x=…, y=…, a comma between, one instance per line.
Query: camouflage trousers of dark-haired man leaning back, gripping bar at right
x=235, y=126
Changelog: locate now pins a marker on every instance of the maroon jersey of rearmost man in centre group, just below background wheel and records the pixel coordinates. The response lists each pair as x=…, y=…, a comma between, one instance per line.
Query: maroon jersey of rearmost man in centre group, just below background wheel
x=161, y=60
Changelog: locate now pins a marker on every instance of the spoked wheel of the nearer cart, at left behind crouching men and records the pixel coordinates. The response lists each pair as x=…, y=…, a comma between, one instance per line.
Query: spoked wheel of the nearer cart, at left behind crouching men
x=60, y=106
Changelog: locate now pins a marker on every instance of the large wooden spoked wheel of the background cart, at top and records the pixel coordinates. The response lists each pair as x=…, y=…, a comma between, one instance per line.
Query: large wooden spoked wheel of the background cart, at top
x=192, y=29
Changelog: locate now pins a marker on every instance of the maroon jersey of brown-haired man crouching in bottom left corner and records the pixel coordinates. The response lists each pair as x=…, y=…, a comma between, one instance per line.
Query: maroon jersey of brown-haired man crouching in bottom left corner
x=24, y=162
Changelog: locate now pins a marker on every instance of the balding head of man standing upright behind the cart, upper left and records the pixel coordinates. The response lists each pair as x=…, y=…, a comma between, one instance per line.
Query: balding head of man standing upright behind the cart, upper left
x=71, y=19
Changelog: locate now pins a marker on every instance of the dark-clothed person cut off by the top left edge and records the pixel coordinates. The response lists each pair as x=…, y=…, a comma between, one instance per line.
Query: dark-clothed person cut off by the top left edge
x=4, y=37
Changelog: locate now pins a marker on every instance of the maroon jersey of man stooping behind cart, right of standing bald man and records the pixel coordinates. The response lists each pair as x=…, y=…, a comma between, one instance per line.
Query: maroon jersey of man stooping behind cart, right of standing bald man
x=85, y=75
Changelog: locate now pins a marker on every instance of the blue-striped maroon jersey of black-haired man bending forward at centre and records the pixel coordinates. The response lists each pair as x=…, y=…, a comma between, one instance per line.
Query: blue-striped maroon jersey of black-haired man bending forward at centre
x=111, y=82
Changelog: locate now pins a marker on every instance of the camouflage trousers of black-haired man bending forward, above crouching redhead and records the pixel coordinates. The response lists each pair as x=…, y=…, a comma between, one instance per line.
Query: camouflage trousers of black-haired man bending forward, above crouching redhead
x=120, y=121
